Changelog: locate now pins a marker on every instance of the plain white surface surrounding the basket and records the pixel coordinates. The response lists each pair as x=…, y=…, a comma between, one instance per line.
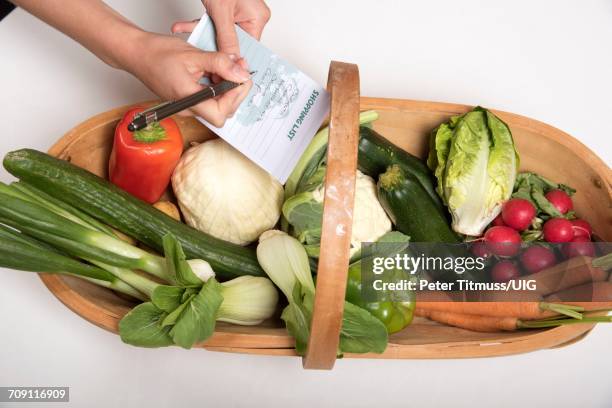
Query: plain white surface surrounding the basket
x=551, y=60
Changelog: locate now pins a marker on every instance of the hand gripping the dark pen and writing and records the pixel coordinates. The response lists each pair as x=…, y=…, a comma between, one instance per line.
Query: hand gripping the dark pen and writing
x=172, y=68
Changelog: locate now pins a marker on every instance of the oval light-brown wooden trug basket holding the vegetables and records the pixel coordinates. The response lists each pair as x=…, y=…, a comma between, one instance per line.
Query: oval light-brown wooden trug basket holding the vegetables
x=543, y=149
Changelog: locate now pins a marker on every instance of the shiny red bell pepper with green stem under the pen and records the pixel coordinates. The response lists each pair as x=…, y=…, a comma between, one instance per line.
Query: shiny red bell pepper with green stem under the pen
x=142, y=162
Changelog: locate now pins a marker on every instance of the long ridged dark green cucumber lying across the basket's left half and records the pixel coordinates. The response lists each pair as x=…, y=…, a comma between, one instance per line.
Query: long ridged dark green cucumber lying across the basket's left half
x=124, y=212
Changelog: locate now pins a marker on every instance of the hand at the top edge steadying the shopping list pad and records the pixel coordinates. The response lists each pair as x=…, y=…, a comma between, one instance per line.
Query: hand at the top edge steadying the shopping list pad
x=250, y=15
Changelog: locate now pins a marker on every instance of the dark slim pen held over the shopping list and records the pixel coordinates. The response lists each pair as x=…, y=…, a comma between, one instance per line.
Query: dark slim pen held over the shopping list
x=163, y=110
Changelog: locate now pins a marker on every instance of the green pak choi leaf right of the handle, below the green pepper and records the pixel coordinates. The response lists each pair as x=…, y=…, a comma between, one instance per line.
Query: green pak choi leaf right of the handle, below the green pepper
x=361, y=332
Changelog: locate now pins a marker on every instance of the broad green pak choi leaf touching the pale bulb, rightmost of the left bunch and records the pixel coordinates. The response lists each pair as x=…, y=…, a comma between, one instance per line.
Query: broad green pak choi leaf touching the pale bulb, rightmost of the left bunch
x=197, y=321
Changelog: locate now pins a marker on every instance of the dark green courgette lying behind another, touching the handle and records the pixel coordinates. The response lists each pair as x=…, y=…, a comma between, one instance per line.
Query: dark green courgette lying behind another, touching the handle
x=376, y=154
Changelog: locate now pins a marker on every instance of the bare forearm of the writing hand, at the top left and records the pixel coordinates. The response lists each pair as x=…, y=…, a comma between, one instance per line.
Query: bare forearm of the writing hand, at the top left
x=92, y=23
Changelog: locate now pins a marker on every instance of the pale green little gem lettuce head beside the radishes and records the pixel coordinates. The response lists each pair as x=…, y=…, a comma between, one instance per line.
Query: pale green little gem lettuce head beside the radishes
x=475, y=163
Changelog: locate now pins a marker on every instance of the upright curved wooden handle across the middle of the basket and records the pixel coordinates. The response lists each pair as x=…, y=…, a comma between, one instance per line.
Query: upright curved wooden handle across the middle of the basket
x=343, y=86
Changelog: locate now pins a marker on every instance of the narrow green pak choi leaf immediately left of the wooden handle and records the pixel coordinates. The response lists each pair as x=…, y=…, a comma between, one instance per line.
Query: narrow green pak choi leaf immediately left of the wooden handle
x=297, y=316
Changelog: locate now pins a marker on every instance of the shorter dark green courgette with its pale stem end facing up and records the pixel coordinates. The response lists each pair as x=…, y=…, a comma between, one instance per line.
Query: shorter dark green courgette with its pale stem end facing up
x=408, y=206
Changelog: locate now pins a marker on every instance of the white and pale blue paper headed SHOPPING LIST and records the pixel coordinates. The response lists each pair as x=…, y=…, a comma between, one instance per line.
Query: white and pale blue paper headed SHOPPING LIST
x=282, y=112
